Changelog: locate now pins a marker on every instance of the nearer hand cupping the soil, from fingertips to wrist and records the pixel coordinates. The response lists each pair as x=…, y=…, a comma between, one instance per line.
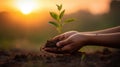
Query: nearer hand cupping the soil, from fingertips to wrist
x=73, y=43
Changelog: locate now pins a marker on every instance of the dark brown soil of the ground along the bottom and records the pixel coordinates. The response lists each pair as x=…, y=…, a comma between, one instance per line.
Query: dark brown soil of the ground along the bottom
x=25, y=58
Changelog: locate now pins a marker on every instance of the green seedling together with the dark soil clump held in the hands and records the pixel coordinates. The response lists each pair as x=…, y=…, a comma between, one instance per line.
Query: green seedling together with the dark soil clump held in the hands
x=58, y=23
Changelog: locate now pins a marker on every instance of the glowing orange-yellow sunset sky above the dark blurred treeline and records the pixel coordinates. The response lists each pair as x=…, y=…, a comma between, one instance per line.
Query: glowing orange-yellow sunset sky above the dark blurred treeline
x=40, y=13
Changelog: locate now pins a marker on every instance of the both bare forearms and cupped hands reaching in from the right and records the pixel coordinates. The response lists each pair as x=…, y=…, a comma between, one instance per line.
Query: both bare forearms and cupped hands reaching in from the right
x=73, y=40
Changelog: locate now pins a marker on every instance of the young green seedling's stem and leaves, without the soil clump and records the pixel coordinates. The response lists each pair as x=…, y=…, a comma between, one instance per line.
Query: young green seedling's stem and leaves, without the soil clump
x=59, y=22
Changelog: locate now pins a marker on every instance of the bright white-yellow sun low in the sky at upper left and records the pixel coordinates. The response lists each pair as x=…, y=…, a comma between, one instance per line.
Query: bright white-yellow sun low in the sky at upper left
x=26, y=6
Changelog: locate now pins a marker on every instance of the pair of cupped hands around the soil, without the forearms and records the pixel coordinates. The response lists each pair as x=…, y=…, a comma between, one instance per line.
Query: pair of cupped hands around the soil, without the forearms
x=70, y=42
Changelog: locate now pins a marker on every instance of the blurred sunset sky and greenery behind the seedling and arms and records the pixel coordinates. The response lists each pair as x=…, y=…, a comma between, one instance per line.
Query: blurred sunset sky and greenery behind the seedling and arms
x=24, y=23
